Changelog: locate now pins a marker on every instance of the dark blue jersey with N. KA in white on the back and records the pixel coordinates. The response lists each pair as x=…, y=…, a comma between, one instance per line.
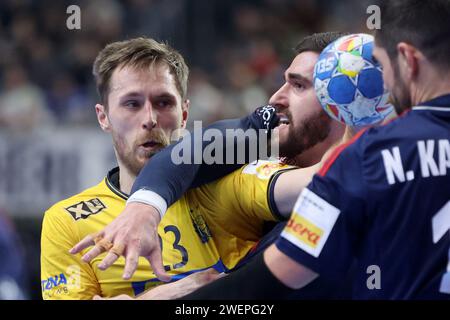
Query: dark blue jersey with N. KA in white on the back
x=382, y=202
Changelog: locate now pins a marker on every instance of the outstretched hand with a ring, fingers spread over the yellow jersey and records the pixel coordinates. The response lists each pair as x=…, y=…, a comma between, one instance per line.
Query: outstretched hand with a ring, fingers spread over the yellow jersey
x=132, y=234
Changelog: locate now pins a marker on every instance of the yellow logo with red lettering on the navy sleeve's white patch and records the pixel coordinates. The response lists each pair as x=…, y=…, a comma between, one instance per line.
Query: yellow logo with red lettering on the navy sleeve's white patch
x=304, y=230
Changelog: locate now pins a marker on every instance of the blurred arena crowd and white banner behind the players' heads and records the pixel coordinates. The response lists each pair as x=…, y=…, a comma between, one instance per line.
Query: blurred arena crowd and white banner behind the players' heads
x=50, y=144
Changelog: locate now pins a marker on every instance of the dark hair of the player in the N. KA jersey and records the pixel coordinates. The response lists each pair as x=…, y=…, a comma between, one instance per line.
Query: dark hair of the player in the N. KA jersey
x=423, y=24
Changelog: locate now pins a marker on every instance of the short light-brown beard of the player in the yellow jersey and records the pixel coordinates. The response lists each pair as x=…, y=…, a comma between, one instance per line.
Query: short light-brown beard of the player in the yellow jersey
x=134, y=159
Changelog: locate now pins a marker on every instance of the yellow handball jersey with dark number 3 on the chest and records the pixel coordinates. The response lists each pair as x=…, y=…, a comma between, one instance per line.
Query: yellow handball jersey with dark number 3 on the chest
x=215, y=225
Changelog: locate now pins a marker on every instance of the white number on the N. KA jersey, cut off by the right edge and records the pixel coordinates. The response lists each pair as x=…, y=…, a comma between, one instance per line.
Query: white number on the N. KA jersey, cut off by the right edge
x=441, y=225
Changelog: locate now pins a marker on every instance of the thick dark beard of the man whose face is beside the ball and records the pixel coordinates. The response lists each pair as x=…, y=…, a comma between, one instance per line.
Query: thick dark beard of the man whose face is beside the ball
x=304, y=135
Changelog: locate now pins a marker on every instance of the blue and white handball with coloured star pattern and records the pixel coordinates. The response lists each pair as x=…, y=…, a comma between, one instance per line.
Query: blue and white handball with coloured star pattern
x=349, y=82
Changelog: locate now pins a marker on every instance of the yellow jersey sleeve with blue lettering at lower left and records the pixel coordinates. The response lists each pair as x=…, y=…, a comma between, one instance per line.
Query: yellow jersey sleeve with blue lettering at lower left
x=63, y=276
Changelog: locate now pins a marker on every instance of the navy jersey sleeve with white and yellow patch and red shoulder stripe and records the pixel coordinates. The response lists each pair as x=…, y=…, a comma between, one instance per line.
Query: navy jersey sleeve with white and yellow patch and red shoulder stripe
x=327, y=223
